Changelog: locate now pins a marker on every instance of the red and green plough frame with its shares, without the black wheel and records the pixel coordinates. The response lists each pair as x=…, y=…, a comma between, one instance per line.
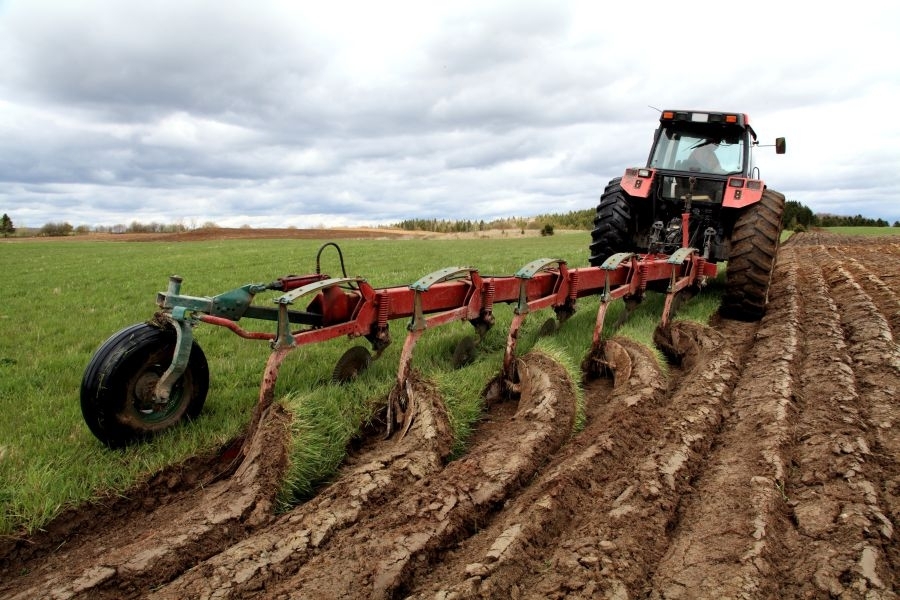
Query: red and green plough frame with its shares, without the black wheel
x=350, y=306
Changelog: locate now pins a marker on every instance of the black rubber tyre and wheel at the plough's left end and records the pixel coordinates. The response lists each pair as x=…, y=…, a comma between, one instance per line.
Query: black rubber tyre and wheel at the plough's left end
x=118, y=384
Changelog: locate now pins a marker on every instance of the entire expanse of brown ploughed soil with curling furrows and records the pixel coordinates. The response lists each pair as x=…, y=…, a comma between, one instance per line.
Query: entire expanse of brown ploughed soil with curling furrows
x=763, y=463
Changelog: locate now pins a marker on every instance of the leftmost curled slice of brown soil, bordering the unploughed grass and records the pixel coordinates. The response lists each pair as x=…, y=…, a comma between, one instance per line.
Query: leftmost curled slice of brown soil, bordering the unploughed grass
x=118, y=564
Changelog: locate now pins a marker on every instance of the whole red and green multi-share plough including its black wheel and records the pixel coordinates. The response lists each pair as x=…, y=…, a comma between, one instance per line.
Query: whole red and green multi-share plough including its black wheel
x=150, y=376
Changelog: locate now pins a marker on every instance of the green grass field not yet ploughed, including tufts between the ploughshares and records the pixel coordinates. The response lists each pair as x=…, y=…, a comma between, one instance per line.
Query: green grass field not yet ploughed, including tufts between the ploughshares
x=61, y=300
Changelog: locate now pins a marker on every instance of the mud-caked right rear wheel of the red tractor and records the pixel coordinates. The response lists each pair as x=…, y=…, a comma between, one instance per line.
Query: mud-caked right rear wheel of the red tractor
x=754, y=249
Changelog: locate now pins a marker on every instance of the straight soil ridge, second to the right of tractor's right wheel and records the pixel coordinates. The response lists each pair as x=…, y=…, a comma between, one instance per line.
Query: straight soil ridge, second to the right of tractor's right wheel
x=827, y=485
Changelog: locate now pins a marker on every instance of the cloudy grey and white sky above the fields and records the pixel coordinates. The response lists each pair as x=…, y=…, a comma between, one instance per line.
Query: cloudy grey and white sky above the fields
x=307, y=113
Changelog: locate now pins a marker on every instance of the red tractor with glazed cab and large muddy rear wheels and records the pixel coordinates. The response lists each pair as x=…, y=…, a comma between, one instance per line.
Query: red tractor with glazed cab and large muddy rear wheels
x=701, y=165
